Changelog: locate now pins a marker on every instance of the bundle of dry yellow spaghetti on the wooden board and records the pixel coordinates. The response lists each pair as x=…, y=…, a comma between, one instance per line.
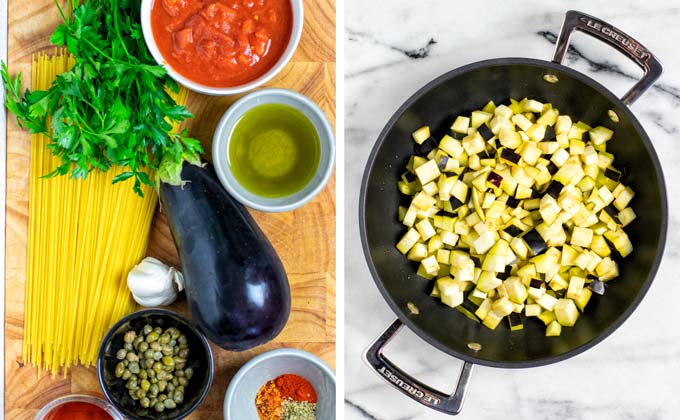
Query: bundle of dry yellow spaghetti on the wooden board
x=84, y=236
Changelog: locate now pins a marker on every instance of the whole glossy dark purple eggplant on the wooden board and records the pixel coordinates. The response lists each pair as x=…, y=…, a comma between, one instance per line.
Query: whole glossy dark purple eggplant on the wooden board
x=236, y=286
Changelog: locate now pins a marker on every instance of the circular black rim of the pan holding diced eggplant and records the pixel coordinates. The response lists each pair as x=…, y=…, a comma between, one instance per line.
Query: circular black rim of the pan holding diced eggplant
x=422, y=333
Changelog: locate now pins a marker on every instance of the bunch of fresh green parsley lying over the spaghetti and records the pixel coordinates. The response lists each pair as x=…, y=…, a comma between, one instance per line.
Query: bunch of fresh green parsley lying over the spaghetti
x=112, y=107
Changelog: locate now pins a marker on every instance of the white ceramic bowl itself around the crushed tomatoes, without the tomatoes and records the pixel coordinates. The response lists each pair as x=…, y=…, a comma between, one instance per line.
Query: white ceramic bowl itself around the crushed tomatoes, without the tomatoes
x=298, y=19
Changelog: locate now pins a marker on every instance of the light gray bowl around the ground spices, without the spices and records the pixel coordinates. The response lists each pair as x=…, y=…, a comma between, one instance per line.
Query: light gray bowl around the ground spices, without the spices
x=239, y=402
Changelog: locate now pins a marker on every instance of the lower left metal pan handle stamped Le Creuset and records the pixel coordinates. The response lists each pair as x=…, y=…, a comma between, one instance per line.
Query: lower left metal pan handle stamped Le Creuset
x=408, y=385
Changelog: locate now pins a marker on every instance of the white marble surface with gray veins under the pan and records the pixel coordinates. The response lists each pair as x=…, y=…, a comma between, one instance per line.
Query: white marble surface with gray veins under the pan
x=635, y=373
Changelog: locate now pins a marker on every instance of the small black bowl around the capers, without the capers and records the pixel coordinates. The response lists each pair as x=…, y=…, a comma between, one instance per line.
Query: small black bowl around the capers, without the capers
x=200, y=359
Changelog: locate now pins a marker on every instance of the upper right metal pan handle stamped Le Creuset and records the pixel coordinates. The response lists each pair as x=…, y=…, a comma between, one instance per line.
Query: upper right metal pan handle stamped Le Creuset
x=618, y=39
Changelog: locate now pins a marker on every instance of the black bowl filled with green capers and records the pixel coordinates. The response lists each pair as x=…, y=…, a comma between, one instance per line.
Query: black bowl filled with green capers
x=154, y=364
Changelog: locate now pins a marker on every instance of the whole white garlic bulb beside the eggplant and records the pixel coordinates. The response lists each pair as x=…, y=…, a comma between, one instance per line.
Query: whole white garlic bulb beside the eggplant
x=153, y=283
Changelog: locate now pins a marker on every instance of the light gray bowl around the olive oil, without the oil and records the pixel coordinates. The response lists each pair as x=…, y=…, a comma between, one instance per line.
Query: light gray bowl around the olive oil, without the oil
x=222, y=137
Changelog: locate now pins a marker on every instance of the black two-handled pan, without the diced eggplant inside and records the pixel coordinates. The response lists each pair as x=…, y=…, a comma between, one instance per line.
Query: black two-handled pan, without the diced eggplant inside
x=459, y=92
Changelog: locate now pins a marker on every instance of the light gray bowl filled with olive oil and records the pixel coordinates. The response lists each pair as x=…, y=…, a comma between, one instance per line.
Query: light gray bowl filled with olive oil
x=274, y=150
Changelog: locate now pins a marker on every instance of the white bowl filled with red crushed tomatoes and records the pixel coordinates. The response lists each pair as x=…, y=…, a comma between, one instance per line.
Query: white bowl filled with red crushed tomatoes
x=222, y=47
